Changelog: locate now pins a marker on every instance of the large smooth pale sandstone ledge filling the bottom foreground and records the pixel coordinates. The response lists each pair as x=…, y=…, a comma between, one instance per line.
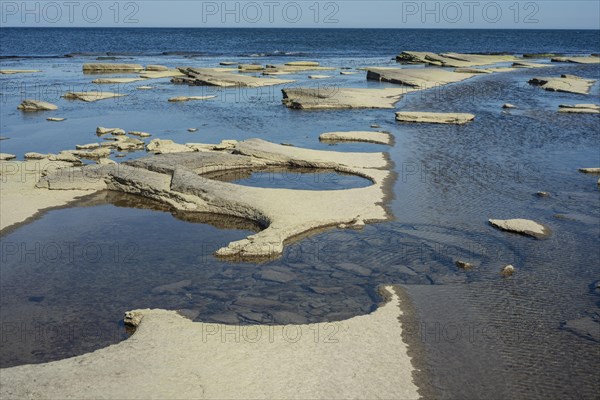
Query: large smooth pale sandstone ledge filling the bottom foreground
x=170, y=356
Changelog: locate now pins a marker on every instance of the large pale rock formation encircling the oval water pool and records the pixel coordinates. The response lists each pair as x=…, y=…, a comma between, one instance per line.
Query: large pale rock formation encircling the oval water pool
x=178, y=180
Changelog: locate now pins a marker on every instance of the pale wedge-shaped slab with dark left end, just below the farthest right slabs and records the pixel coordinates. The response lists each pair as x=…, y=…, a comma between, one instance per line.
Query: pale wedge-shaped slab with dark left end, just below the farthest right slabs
x=418, y=78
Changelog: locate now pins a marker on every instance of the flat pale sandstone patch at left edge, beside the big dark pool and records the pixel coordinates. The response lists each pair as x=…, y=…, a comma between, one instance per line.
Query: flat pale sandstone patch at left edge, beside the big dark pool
x=19, y=196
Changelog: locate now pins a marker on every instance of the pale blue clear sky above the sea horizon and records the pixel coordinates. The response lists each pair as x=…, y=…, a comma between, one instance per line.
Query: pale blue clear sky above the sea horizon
x=500, y=14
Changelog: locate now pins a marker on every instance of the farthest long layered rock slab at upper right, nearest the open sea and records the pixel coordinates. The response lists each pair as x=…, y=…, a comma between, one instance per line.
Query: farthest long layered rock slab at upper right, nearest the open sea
x=456, y=60
